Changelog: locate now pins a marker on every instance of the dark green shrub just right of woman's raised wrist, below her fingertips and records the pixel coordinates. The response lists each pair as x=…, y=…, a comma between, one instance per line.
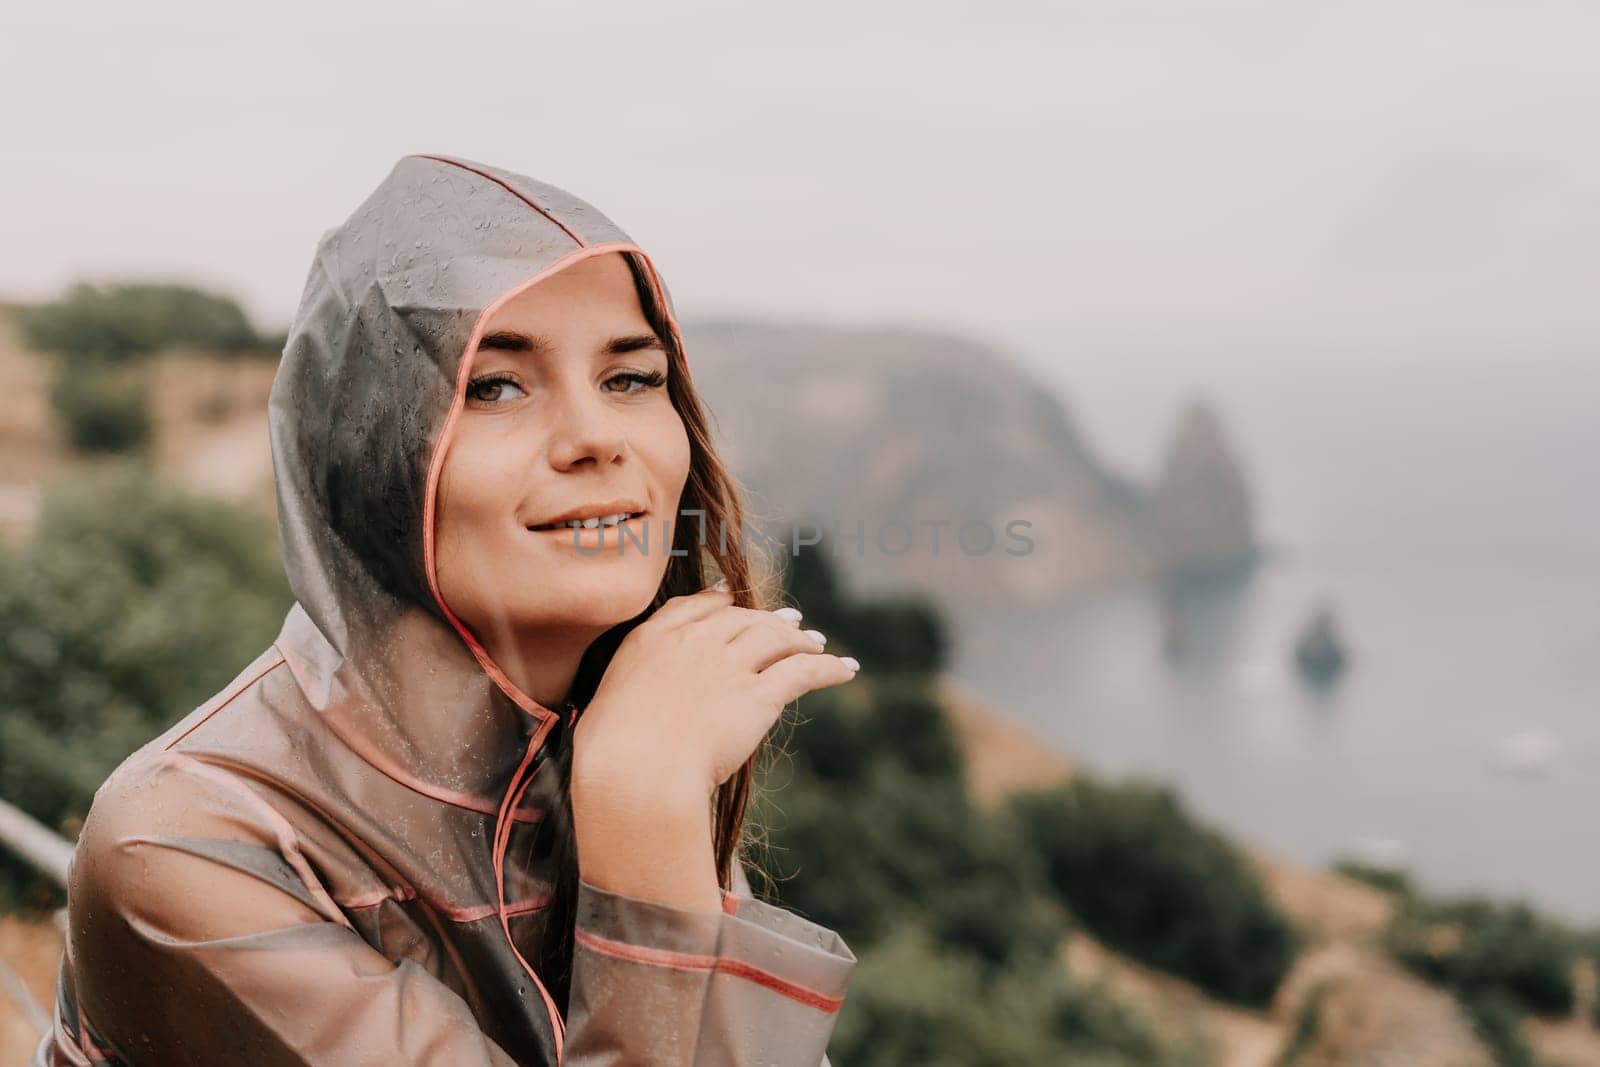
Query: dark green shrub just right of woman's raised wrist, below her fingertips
x=873, y=826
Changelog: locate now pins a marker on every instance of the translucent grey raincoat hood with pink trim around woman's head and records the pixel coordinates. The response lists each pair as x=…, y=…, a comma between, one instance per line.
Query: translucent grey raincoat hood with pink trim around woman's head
x=370, y=388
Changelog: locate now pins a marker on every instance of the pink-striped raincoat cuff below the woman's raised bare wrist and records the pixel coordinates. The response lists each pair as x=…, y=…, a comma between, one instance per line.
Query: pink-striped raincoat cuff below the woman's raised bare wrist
x=658, y=985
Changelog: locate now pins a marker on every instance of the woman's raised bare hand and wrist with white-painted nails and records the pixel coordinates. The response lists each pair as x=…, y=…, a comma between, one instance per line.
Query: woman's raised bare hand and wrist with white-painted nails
x=686, y=701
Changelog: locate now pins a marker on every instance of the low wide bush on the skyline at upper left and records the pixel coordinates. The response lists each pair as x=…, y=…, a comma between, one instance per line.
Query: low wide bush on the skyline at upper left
x=122, y=322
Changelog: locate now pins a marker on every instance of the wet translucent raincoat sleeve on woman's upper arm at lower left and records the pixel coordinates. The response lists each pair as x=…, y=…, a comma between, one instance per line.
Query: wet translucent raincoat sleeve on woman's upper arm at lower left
x=201, y=935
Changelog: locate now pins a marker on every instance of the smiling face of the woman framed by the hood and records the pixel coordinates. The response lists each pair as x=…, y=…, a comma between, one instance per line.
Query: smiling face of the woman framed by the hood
x=567, y=415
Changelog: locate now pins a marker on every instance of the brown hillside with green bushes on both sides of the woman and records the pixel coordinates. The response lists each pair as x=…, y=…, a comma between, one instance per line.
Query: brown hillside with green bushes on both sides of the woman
x=1006, y=906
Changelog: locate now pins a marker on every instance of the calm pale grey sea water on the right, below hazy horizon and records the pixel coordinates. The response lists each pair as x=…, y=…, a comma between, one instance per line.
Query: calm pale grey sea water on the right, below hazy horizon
x=1452, y=518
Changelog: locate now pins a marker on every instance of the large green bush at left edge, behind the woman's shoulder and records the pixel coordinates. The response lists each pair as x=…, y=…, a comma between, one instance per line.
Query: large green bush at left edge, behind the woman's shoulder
x=129, y=607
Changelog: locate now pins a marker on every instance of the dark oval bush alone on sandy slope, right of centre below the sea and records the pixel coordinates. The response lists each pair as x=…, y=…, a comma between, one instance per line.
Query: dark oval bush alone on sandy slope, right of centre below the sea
x=1146, y=879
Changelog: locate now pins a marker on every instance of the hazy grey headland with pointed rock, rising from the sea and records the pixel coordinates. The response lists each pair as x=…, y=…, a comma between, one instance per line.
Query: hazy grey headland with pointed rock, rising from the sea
x=887, y=439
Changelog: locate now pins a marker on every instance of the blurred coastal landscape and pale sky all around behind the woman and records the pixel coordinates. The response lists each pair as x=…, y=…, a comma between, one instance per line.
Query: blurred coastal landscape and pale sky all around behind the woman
x=1274, y=324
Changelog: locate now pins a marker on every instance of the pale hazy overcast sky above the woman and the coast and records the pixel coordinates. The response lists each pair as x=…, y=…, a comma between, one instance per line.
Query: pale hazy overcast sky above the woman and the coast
x=1102, y=186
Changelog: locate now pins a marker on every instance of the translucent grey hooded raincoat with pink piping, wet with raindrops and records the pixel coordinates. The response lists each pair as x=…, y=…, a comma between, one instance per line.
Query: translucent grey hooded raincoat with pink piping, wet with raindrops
x=348, y=857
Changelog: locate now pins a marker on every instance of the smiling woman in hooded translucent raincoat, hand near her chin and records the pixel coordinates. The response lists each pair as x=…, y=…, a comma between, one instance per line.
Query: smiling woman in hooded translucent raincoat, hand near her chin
x=481, y=802
